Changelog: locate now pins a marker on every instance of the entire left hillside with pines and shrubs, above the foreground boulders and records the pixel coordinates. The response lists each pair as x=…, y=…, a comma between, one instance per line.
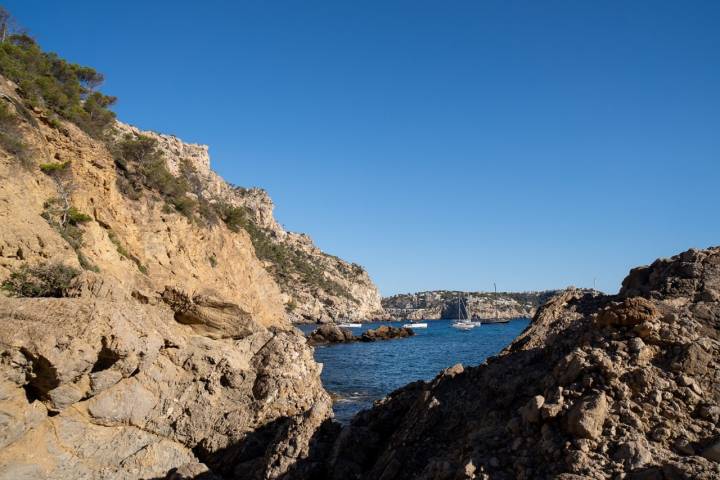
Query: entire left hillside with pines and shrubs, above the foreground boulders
x=151, y=212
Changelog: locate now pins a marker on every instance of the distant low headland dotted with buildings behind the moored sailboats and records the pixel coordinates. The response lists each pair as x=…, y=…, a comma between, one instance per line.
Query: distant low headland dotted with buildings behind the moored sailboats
x=437, y=304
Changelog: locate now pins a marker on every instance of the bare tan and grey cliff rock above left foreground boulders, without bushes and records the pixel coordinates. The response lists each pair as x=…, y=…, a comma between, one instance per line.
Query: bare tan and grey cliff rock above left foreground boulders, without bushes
x=138, y=242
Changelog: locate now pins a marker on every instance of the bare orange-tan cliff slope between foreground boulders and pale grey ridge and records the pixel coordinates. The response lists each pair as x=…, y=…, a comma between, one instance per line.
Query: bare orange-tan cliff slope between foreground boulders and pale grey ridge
x=138, y=247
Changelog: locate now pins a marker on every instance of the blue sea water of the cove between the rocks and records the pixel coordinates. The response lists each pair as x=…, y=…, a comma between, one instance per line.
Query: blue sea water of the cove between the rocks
x=360, y=373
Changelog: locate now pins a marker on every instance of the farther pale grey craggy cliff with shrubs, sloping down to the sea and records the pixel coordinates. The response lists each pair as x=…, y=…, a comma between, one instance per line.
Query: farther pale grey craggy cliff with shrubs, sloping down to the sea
x=316, y=286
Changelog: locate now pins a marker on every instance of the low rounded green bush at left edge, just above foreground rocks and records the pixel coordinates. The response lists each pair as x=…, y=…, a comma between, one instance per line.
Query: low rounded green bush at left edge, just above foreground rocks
x=43, y=280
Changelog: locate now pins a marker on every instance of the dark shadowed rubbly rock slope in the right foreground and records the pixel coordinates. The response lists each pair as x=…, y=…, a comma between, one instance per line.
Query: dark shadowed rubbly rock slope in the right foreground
x=598, y=386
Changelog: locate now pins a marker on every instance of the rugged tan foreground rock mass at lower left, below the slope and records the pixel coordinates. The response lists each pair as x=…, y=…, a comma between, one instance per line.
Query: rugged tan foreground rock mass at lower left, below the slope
x=100, y=389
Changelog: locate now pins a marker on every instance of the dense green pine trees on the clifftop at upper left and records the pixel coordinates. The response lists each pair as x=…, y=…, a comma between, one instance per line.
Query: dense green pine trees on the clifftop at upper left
x=53, y=84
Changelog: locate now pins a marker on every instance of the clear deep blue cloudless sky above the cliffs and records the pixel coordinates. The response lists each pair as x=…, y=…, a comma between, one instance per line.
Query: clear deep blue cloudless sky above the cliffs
x=441, y=144
